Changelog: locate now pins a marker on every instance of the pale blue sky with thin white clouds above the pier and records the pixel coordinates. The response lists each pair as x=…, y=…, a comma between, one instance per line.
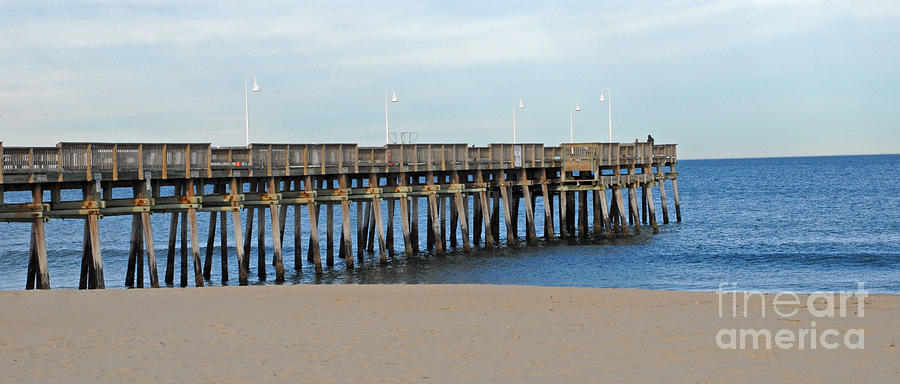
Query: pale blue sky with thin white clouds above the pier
x=720, y=78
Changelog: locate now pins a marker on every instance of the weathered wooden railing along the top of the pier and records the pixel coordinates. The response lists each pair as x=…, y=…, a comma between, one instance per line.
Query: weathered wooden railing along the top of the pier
x=79, y=161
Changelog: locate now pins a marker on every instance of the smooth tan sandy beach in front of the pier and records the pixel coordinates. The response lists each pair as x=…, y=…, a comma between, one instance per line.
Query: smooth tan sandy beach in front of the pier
x=420, y=333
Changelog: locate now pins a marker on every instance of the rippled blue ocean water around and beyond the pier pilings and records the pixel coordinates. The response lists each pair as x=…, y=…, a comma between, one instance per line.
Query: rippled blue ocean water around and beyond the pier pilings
x=801, y=224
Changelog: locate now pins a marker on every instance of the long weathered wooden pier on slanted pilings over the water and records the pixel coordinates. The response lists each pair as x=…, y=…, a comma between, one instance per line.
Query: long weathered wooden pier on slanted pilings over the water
x=473, y=186
